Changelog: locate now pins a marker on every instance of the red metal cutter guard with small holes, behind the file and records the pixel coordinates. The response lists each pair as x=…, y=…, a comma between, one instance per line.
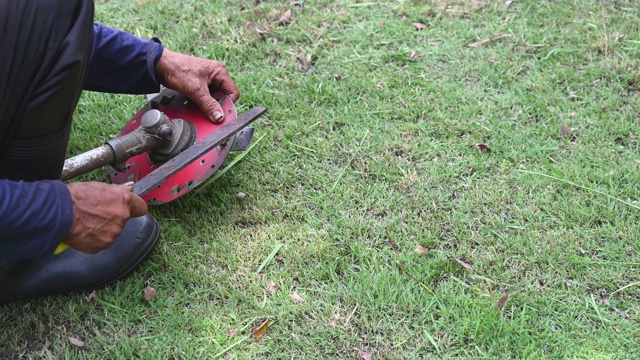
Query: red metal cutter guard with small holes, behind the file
x=176, y=106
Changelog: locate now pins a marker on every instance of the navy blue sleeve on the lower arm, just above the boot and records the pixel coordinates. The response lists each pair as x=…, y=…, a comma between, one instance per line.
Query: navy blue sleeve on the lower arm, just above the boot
x=34, y=217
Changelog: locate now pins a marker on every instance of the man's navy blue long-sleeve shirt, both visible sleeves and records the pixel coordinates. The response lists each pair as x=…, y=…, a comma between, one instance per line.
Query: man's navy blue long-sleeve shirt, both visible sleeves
x=36, y=216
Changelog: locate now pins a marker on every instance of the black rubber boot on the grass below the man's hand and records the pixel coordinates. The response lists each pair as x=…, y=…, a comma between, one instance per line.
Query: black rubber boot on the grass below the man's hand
x=73, y=271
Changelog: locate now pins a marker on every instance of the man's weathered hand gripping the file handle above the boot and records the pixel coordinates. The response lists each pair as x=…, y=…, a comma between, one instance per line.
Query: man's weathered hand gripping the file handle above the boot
x=100, y=213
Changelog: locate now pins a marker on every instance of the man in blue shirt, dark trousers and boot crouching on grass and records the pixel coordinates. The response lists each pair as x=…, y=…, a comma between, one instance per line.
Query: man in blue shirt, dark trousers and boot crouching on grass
x=51, y=51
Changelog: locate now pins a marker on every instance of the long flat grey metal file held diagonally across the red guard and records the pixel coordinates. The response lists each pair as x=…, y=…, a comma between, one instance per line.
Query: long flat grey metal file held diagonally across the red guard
x=188, y=156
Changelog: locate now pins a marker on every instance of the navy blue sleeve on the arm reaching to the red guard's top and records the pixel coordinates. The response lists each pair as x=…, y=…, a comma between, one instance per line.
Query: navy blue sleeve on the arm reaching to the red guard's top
x=122, y=63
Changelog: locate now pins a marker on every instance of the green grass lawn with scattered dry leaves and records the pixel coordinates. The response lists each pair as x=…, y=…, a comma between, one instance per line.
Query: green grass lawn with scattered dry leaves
x=412, y=180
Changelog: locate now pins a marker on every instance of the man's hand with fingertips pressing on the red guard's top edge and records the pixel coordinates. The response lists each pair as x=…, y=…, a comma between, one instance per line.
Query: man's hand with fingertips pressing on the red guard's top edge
x=194, y=77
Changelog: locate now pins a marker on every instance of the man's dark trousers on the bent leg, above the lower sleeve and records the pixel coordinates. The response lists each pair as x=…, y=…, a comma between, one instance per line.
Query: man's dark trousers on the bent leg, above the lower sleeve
x=45, y=47
